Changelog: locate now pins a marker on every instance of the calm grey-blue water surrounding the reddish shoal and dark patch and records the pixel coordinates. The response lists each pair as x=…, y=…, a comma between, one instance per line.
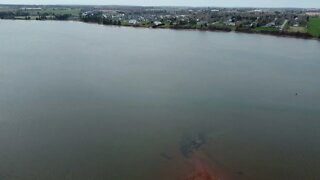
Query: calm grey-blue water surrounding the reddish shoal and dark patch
x=83, y=101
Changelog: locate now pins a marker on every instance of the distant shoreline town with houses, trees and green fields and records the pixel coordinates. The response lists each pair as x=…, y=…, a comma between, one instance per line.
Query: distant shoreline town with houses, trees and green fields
x=303, y=23
